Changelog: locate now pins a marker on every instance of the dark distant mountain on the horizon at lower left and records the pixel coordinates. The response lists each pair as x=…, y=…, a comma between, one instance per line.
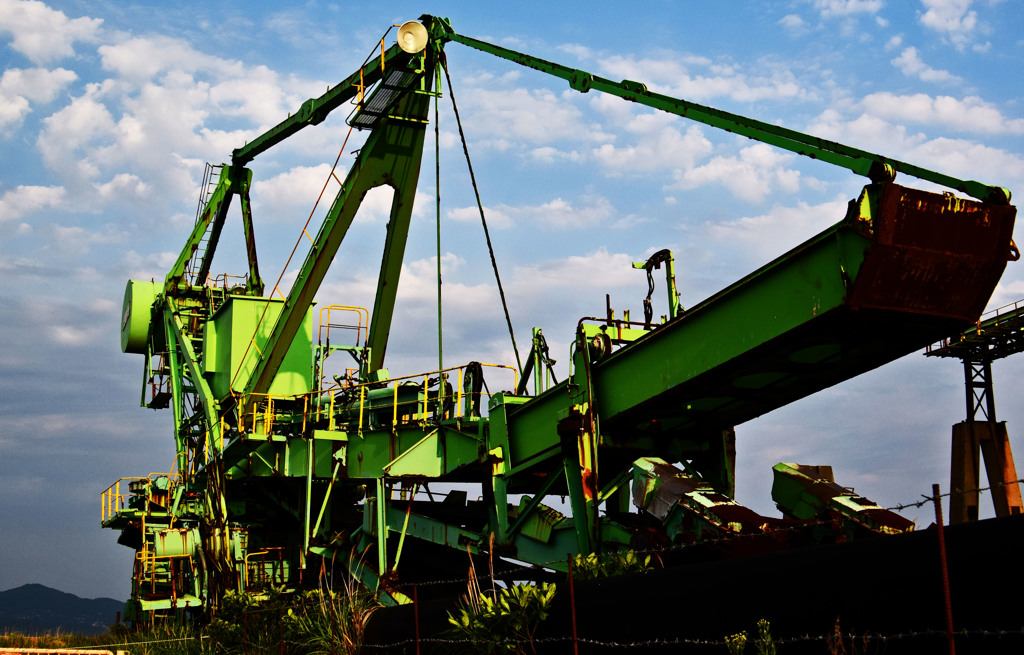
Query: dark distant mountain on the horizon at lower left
x=35, y=609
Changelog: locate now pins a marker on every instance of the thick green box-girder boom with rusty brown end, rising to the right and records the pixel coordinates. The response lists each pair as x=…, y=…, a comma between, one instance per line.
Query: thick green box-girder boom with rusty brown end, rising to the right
x=846, y=301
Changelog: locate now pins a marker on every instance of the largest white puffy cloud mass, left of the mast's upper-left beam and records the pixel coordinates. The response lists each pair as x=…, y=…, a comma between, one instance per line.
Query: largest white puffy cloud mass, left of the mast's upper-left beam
x=163, y=113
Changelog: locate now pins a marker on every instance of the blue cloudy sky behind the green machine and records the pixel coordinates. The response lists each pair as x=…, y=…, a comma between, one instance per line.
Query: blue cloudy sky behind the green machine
x=110, y=110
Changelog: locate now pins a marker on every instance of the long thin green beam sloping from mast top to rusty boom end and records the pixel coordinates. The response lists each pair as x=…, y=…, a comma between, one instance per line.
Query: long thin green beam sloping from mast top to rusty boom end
x=864, y=163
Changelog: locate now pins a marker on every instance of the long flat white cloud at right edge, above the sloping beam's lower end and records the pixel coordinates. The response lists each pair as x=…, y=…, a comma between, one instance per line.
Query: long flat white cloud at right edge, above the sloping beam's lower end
x=970, y=114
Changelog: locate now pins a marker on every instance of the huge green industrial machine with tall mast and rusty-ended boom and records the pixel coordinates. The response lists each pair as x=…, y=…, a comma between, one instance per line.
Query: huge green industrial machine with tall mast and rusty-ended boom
x=285, y=472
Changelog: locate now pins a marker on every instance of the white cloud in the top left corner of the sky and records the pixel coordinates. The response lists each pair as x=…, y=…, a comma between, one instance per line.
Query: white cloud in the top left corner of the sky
x=44, y=34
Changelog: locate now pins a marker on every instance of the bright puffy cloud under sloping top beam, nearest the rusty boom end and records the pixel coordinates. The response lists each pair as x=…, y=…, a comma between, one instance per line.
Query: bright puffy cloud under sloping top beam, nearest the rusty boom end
x=752, y=177
